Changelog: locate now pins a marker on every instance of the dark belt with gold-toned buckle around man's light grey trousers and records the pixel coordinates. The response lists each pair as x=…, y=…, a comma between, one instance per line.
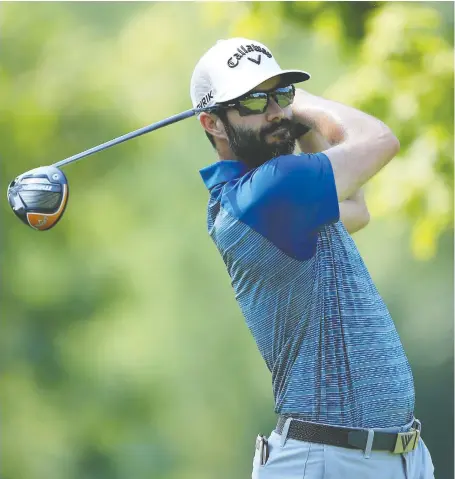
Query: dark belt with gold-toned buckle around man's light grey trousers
x=396, y=443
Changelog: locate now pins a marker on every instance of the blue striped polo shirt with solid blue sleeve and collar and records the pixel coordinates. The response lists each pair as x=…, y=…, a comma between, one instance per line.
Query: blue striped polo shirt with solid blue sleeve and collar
x=317, y=318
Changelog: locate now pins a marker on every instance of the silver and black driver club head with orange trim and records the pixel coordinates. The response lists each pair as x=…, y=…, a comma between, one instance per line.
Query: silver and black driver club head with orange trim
x=39, y=197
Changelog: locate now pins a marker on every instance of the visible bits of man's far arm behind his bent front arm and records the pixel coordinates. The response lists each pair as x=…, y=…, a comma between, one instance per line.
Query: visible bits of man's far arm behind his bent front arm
x=353, y=210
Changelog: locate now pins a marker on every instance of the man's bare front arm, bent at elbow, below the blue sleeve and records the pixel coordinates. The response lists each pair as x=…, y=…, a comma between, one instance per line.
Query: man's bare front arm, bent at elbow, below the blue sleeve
x=362, y=144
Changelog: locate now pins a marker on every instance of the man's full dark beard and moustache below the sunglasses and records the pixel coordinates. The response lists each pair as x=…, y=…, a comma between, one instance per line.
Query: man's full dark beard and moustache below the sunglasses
x=253, y=149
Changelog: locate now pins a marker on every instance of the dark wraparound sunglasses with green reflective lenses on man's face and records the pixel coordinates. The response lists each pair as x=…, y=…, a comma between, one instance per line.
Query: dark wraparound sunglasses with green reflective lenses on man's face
x=257, y=102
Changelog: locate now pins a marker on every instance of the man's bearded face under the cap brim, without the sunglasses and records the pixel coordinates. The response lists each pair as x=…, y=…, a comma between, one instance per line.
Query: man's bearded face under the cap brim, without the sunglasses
x=255, y=139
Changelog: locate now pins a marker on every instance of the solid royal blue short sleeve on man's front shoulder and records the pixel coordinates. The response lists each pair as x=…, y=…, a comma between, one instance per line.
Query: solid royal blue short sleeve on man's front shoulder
x=288, y=199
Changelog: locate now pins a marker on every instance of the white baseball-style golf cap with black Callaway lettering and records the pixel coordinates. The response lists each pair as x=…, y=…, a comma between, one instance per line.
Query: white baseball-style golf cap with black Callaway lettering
x=232, y=68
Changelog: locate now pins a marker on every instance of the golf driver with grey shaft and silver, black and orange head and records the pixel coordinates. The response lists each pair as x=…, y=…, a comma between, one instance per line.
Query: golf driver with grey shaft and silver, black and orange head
x=39, y=196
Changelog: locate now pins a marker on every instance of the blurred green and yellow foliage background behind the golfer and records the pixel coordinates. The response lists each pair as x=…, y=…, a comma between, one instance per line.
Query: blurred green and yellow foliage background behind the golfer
x=123, y=352
